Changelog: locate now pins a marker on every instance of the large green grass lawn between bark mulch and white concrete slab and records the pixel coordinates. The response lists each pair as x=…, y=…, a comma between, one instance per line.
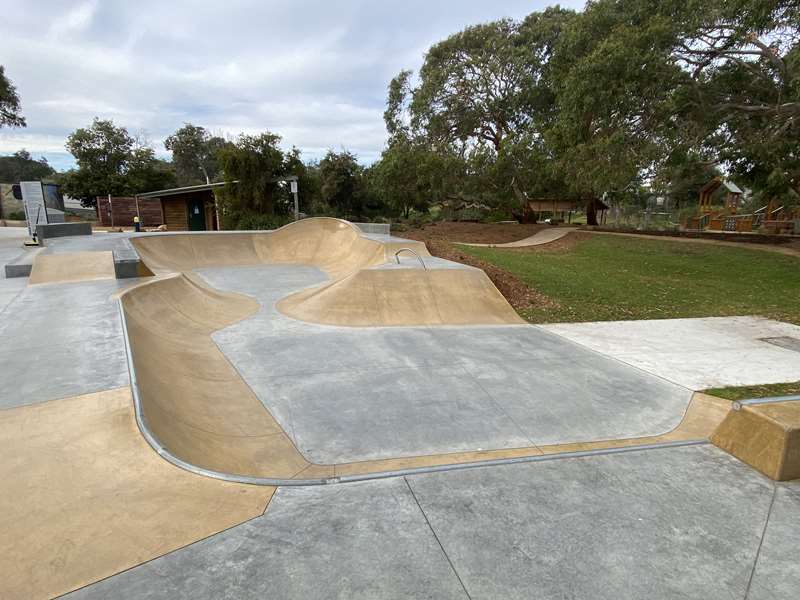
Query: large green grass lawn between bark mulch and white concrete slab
x=614, y=278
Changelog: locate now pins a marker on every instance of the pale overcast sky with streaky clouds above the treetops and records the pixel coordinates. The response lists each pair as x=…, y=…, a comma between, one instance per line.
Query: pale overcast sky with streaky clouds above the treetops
x=314, y=72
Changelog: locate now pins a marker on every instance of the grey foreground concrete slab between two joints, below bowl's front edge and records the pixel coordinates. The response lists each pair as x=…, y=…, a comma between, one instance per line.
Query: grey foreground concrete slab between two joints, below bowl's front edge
x=678, y=523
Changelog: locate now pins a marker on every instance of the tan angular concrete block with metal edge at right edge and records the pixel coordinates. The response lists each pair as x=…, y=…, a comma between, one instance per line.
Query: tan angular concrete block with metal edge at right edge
x=765, y=436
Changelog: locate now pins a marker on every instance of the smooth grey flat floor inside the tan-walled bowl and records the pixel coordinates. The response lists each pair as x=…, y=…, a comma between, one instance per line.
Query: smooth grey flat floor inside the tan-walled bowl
x=347, y=394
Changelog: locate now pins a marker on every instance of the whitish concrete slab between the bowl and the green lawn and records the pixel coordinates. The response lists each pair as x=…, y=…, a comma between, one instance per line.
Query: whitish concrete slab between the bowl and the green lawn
x=695, y=353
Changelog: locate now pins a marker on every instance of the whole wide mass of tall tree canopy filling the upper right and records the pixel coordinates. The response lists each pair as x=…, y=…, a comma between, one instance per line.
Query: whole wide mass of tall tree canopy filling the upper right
x=583, y=104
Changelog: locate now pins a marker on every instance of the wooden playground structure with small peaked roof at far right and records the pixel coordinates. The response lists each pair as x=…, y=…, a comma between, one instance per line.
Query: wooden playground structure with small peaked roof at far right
x=771, y=218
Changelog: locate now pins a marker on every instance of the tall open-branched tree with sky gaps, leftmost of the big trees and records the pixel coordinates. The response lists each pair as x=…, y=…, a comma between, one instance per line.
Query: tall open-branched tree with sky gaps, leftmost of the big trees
x=483, y=96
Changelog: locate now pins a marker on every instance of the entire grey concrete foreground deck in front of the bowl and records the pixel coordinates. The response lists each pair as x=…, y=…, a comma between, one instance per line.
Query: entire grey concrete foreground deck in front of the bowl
x=678, y=523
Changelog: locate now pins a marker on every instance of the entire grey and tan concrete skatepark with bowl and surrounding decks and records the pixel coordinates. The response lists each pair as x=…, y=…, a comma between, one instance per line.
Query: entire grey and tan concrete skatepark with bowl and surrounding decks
x=318, y=411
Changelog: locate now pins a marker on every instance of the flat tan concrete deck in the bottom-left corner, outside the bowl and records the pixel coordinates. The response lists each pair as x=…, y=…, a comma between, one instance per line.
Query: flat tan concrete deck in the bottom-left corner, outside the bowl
x=84, y=496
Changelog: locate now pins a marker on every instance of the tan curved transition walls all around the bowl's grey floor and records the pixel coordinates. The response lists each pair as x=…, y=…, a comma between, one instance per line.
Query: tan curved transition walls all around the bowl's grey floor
x=197, y=410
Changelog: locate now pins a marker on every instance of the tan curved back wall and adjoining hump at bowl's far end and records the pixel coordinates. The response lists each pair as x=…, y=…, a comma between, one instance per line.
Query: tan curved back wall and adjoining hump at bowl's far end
x=356, y=296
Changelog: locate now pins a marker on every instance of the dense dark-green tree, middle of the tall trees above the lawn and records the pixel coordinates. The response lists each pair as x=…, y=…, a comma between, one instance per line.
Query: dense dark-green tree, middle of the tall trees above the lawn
x=612, y=84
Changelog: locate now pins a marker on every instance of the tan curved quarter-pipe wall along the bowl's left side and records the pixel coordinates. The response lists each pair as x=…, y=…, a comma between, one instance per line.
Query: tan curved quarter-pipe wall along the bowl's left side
x=192, y=399
